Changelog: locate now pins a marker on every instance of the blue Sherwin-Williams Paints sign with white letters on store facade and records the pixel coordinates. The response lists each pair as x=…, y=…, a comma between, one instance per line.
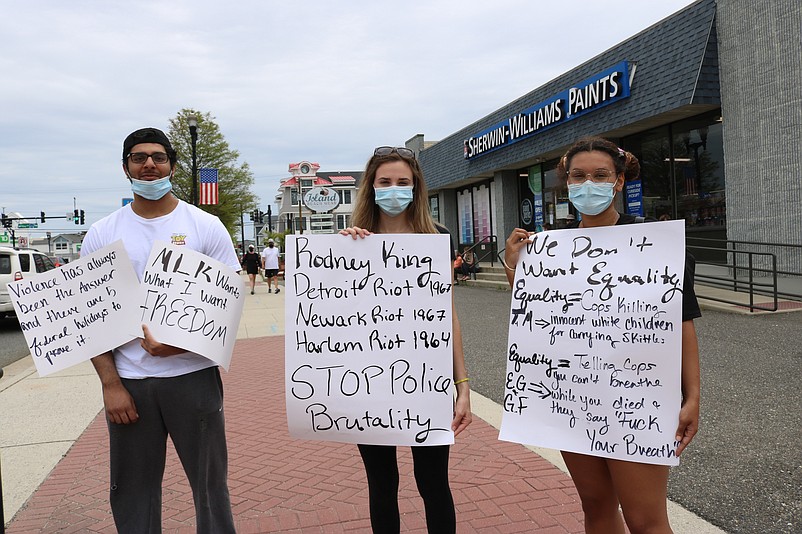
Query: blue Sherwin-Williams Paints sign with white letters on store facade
x=589, y=95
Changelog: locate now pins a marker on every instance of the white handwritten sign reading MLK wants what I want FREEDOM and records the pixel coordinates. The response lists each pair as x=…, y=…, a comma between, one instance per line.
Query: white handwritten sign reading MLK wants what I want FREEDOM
x=191, y=301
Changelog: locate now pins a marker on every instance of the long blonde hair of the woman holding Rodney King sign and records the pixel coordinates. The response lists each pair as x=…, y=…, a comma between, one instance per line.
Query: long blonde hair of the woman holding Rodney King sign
x=366, y=213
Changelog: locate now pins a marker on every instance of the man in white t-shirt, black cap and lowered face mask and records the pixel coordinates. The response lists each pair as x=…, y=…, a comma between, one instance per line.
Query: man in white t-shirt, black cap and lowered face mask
x=152, y=390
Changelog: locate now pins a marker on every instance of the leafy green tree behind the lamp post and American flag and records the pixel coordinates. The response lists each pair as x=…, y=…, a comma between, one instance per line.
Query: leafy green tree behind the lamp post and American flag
x=212, y=152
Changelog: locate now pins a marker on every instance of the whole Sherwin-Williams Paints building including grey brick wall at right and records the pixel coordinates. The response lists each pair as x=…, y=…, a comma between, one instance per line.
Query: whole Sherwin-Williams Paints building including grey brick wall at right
x=710, y=110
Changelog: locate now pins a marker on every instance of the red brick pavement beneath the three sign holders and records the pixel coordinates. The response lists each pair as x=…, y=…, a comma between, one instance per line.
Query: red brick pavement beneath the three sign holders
x=280, y=484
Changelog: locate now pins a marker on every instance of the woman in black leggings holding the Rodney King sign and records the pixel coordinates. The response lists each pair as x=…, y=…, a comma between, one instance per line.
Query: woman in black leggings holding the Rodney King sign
x=393, y=200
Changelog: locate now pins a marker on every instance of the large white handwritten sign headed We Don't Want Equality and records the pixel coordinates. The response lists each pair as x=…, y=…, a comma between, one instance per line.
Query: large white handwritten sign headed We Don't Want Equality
x=594, y=352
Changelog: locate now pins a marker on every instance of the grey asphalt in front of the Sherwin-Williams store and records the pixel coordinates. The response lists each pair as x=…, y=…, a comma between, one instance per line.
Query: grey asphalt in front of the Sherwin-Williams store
x=743, y=471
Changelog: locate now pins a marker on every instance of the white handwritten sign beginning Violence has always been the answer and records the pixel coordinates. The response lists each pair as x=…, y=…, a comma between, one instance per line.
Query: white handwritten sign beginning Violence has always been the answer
x=78, y=311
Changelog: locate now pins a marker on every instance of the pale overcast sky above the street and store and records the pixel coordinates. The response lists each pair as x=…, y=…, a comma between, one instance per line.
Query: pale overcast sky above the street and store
x=318, y=80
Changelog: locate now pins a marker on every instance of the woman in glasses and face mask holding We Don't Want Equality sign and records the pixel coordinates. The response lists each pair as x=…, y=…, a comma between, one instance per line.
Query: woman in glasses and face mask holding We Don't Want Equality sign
x=595, y=170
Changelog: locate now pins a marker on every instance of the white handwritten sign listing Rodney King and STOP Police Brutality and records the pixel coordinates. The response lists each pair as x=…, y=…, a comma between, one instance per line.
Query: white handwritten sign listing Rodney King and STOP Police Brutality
x=369, y=339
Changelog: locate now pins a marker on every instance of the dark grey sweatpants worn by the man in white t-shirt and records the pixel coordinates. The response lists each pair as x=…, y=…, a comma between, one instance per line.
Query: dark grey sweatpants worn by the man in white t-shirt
x=189, y=409
